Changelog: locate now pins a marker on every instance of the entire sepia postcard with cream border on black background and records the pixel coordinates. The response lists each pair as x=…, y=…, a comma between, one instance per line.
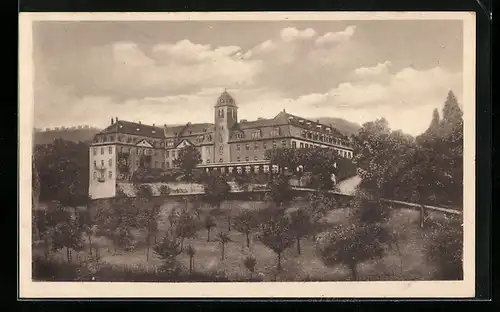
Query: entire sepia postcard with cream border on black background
x=235, y=154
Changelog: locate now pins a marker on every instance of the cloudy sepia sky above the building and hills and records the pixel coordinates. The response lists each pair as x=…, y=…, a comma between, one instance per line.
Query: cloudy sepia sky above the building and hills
x=172, y=72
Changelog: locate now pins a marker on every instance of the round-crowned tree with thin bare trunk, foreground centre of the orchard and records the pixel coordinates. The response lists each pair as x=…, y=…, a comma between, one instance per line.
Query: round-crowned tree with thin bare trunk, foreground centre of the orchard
x=277, y=236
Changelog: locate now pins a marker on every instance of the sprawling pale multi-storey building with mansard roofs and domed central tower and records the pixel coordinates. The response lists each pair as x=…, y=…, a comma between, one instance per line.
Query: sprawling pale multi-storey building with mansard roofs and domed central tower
x=226, y=145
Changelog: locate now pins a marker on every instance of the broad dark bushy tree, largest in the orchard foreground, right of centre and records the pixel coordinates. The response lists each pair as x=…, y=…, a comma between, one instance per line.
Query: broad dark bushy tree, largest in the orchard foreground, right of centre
x=363, y=238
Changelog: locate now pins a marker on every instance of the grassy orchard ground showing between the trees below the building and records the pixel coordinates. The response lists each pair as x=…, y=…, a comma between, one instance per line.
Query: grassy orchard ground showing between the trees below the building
x=409, y=263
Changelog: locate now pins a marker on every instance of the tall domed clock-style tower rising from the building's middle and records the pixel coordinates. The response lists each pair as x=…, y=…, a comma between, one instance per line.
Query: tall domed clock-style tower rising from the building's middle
x=226, y=116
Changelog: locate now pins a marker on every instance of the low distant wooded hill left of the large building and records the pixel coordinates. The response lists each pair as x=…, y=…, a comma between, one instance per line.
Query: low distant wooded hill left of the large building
x=71, y=134
